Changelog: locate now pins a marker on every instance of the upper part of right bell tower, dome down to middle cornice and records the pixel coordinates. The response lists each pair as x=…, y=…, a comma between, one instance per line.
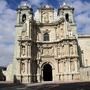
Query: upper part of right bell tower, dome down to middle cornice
x=67, y=12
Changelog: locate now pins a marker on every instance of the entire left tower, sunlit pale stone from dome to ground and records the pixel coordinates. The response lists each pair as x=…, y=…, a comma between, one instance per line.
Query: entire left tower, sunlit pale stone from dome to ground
x=23, y=44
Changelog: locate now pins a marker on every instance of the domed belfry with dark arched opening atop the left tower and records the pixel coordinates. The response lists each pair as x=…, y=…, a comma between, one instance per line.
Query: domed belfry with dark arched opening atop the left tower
x=23, y=12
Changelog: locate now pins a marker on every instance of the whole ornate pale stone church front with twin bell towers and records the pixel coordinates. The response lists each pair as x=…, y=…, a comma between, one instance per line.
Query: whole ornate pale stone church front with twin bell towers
x=47, y=46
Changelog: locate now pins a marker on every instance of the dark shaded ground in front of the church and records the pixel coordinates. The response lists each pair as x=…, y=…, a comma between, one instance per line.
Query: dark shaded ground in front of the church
x=49, y=86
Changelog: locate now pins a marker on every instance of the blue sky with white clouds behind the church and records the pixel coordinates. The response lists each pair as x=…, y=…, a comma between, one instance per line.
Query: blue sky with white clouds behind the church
x=8, y=21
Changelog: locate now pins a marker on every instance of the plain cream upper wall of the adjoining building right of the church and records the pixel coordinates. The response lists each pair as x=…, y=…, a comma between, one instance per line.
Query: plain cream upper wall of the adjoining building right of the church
x=84, y=42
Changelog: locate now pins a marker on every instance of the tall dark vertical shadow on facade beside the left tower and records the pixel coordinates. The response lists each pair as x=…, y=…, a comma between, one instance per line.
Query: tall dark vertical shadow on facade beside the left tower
x=34, y=53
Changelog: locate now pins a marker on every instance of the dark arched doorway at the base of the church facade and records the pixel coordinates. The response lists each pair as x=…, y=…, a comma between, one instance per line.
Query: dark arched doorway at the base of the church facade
x=47, y=72
